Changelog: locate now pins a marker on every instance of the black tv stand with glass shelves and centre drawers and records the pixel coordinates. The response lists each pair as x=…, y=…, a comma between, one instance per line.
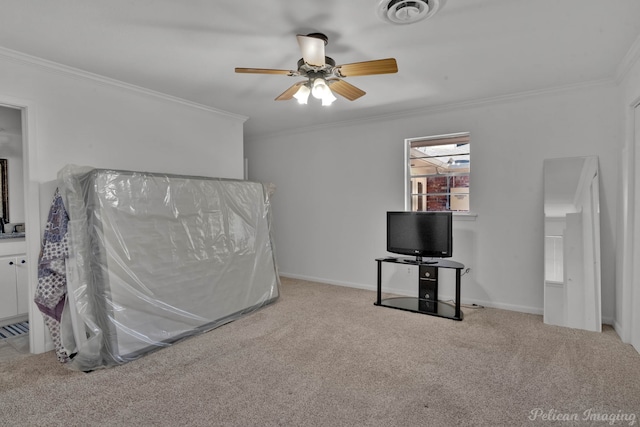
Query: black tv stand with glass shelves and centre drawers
x=427, y=300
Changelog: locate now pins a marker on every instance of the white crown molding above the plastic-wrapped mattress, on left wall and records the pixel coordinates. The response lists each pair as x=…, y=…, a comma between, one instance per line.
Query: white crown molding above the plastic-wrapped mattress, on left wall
x=106, y=81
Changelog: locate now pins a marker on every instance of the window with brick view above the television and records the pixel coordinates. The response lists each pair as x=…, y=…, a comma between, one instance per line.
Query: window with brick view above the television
x=437, y=173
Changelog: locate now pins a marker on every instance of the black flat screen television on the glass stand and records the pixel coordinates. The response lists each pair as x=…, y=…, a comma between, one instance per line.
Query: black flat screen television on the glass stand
x=421, y=234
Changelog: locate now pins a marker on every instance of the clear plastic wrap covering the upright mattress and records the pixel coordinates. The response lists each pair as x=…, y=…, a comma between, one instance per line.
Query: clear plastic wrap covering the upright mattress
x=154, y=258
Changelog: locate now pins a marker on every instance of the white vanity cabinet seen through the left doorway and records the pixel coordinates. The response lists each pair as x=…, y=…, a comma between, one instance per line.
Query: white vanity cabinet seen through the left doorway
x=14, y=286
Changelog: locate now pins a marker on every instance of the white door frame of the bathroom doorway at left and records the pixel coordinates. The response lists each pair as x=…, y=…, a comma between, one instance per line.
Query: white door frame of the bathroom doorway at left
x=37, y=332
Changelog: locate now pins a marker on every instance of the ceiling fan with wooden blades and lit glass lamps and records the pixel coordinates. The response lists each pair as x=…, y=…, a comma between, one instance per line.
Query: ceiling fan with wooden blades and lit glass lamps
x=323, y=76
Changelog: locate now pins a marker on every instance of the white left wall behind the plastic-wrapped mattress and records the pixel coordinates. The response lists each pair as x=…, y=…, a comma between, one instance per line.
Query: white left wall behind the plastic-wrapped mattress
x=77, y=118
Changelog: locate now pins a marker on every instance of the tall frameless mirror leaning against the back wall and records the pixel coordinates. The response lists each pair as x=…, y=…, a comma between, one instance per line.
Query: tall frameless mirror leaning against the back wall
x=572, y=295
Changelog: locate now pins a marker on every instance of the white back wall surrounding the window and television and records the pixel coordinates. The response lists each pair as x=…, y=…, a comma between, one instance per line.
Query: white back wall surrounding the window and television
x=335, y=184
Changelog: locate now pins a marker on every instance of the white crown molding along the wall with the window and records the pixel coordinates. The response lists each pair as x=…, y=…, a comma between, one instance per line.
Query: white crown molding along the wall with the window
x=416, y=112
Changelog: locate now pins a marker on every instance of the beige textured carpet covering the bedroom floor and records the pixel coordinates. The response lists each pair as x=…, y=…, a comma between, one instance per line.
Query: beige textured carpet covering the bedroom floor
x=324, y=355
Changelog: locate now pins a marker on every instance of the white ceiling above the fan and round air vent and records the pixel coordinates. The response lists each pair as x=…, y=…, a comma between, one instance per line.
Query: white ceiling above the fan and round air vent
x=470, y=50
